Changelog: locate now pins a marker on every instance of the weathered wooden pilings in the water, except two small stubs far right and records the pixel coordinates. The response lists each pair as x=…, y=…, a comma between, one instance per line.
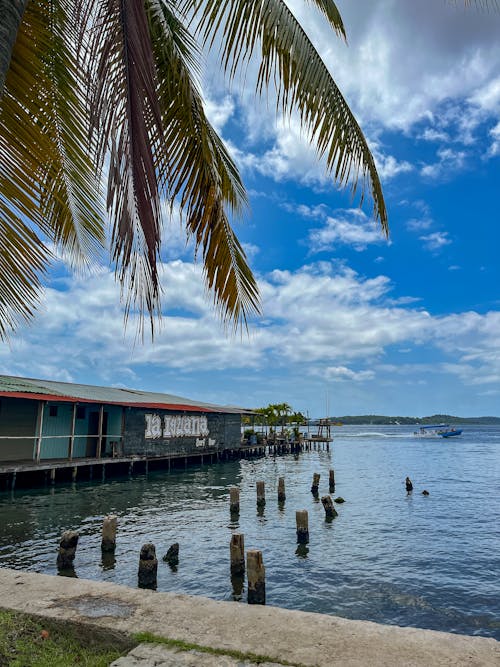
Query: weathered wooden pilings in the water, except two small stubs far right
x=250, y=563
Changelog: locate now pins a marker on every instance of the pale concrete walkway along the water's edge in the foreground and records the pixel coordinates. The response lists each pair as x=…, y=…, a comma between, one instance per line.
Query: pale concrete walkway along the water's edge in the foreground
x=283, y=636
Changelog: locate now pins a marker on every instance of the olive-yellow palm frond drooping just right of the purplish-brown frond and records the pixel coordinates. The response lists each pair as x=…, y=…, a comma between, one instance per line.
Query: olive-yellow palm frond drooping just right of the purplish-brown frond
x=202, y=172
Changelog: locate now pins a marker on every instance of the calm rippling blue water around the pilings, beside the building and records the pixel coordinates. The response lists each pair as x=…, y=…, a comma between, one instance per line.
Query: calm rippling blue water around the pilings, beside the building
x=430, y=562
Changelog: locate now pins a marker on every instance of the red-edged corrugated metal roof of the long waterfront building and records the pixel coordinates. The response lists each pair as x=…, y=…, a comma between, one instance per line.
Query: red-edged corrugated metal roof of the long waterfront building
x=65, y=391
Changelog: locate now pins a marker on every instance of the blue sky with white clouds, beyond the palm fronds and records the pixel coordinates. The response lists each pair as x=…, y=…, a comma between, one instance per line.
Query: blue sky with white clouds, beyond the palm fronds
x=408, y=326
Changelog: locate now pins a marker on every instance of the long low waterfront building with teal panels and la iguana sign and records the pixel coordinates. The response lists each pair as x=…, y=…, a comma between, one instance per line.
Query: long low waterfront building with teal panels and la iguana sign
x=43, y=421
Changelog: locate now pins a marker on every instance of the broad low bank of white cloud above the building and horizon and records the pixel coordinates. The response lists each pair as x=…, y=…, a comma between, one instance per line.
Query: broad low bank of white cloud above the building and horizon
x=323, y=323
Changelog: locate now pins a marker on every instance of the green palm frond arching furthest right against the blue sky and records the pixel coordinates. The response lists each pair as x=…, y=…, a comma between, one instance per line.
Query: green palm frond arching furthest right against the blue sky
x=302, y=82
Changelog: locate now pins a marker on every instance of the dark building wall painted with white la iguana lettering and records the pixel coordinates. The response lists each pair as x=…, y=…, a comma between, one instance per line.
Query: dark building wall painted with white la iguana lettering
x=157, y=432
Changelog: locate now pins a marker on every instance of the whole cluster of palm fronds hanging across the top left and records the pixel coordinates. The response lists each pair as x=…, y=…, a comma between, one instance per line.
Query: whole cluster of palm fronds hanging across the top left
x=110, y=86
